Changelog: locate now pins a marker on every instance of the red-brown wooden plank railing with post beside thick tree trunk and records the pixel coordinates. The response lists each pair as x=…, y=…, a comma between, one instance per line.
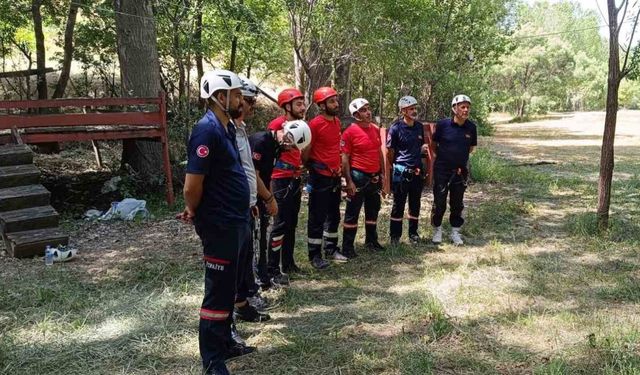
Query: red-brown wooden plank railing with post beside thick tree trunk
x=84, y=121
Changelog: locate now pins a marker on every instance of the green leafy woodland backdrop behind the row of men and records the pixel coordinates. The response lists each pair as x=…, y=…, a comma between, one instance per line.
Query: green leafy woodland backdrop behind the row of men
x=375, y=49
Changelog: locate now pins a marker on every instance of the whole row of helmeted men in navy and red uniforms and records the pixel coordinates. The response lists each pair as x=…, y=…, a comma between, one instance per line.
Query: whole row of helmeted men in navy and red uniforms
x=243, y=193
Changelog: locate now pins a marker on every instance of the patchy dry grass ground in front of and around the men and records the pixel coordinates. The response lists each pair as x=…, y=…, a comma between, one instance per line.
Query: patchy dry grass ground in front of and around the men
x=535, y=290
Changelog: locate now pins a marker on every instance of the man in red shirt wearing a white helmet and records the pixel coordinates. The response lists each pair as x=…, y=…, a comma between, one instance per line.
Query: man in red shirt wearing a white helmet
x=361, y=167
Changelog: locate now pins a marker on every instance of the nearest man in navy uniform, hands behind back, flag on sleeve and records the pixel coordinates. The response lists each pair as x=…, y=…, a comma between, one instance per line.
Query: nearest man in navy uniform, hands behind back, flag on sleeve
x=216, y=195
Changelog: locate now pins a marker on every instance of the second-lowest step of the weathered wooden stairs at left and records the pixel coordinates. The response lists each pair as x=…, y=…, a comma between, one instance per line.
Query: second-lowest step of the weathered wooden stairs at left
x=40, y=217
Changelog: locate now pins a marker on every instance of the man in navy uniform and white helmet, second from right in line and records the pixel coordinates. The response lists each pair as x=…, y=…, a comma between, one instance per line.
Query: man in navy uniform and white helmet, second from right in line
x=405, y=147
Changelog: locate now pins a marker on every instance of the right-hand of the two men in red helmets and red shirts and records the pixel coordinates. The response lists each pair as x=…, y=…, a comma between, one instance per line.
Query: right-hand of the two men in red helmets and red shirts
x=323, y=160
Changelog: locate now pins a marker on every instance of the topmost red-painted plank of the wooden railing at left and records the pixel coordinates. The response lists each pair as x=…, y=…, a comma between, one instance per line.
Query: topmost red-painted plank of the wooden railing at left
x=76, y=102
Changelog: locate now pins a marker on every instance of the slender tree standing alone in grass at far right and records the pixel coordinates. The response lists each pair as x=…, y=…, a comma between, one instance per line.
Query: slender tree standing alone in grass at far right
x=616, y=14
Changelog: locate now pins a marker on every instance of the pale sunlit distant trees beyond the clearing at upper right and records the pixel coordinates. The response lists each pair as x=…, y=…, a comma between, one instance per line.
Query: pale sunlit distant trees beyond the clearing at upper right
x=556, y=61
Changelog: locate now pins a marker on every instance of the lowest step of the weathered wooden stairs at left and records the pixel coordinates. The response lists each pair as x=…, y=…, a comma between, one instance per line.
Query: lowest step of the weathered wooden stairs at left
x=33, y=242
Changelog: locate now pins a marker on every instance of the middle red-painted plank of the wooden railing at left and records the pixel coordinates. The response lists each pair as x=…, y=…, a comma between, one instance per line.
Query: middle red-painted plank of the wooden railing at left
x=71, y=119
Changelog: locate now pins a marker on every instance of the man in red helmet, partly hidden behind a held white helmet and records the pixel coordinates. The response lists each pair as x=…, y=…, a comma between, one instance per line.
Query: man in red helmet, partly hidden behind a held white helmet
x=285, y=185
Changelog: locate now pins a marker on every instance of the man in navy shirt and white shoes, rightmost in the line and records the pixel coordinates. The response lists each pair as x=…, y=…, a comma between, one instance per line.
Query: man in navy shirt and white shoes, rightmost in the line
x=455, y=139
